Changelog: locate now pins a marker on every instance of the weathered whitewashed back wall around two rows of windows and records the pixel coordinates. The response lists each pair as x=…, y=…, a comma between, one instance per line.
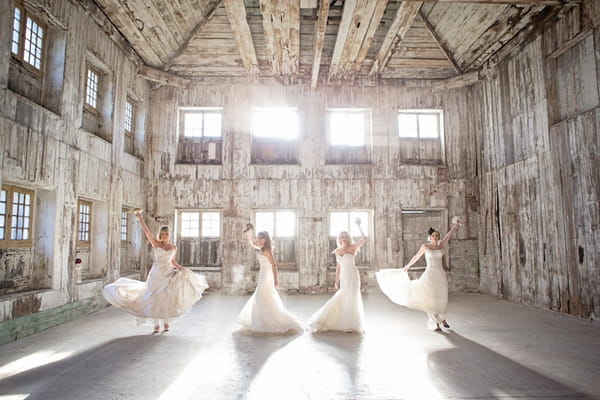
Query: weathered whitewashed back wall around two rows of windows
x=313, y=187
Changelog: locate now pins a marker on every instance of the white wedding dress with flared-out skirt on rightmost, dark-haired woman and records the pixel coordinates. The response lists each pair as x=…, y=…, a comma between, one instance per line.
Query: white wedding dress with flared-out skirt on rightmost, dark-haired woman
x=428, y=293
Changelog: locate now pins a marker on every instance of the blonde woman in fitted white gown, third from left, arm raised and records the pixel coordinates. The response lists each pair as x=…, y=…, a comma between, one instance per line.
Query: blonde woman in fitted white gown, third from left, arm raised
x=344, y=311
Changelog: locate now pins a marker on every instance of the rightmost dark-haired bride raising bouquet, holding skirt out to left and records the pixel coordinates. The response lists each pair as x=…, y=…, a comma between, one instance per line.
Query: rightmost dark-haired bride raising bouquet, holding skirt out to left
x=428, y=293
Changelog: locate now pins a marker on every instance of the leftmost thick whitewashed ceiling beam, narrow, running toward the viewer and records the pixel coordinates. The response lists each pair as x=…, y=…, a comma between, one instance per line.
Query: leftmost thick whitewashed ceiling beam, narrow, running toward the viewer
x=236, y=12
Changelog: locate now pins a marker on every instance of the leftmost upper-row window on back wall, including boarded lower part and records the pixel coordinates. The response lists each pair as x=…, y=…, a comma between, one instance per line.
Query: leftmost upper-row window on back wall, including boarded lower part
x=200, y=135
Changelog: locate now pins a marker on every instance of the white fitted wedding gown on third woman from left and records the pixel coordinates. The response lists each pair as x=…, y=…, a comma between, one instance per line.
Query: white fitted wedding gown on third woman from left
x=344, y=311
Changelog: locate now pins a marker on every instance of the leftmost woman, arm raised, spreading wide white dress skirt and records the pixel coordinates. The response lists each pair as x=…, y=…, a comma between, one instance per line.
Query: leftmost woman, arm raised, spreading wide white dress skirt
x=169, y=291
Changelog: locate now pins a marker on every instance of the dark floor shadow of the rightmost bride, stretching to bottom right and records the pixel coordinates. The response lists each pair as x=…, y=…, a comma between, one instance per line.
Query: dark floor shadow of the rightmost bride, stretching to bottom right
x=472, y=370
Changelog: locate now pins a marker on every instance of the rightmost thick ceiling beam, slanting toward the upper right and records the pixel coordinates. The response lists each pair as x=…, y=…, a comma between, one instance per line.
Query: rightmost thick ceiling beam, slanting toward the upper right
x=405, y=16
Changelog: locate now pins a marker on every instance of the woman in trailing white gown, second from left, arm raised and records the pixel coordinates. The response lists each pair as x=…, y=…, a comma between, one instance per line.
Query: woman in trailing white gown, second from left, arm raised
x=264, y=312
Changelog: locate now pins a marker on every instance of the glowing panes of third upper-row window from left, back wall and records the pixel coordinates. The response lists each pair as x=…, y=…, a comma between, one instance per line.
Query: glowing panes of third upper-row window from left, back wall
x=348, y=127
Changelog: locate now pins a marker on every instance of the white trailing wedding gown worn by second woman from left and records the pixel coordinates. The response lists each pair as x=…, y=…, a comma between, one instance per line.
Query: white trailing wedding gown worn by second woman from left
x=264, y=311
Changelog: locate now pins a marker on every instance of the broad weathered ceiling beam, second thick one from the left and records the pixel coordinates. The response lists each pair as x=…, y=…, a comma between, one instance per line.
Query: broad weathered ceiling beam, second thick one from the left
x=281, y=24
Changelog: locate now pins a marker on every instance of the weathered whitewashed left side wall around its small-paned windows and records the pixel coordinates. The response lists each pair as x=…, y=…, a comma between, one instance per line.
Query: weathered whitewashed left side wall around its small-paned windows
x=44, y=149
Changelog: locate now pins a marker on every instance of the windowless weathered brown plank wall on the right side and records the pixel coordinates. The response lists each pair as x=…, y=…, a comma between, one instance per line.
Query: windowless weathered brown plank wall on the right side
x=536, y=128
